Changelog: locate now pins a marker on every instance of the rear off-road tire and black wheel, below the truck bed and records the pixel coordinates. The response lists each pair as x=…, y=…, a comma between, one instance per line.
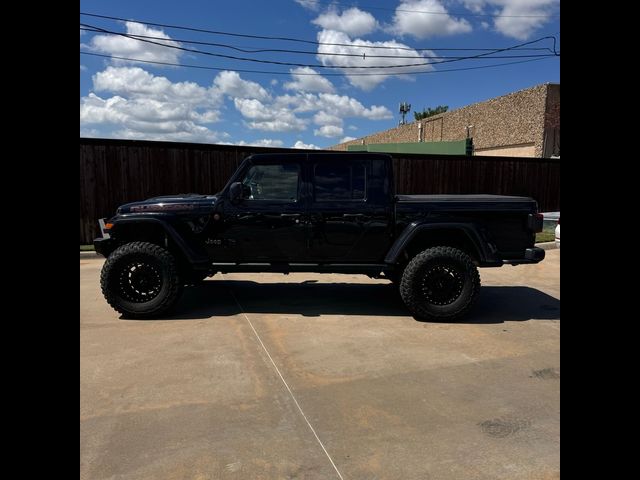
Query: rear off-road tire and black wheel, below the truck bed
x=440, y=284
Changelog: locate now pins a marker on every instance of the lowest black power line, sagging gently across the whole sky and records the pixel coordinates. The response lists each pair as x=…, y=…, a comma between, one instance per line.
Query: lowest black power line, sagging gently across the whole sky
x=202, y=67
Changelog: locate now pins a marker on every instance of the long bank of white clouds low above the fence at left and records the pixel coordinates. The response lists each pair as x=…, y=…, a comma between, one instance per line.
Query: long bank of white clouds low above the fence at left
x=130, y=102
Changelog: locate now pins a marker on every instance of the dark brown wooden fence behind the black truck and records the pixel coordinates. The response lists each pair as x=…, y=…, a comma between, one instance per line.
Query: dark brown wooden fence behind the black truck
x=113, y=172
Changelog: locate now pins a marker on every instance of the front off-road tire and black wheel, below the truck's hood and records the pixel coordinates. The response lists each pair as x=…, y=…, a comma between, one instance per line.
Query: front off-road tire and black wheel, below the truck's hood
x=140, y=280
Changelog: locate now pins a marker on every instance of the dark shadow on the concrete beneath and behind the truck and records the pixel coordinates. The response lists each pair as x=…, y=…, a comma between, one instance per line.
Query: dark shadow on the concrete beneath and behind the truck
x=213, y=298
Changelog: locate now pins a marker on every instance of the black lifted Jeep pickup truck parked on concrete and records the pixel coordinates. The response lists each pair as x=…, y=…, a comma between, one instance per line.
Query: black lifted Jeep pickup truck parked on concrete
x=315, y=212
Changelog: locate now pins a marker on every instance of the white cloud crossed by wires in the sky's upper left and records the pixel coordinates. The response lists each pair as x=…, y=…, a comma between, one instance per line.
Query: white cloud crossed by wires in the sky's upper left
x=117, y=45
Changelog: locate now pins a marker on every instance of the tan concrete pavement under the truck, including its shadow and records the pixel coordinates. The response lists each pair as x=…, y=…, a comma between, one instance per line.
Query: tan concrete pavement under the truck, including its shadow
x=309, y=376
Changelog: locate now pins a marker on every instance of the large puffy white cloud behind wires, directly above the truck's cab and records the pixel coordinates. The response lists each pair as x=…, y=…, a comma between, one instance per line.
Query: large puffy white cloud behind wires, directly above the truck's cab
x=374, y=76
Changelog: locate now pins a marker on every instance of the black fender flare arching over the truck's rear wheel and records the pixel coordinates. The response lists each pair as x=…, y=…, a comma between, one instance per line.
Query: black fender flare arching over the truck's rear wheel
x=470, y=230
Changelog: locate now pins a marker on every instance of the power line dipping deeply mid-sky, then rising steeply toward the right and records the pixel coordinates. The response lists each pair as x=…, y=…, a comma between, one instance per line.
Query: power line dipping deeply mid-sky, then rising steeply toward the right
x=342, y=67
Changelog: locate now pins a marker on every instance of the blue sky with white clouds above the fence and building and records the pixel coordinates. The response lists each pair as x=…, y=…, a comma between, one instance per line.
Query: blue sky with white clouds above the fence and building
x=308, y=93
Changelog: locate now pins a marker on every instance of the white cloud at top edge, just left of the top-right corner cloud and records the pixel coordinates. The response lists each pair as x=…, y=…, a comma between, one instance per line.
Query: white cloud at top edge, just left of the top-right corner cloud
x=424, y=25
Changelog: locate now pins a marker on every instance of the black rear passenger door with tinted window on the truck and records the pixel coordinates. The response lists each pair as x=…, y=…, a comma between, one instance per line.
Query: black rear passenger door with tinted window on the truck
x=349, y=221
